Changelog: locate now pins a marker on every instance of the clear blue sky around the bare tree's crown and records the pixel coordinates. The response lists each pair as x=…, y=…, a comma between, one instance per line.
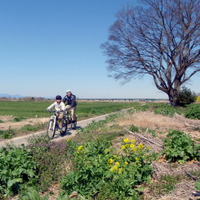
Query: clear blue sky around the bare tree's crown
x=49, y=46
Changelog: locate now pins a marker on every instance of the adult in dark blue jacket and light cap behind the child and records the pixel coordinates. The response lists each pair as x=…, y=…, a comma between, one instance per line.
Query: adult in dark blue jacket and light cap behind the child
x=70, y=100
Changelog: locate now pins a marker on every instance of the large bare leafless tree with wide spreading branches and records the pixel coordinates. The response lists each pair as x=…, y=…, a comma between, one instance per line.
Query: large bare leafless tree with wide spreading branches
x=160, y=39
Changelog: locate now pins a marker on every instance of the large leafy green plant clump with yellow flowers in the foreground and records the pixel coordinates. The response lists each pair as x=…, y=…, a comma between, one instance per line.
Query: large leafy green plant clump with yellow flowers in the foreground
x=98, y=171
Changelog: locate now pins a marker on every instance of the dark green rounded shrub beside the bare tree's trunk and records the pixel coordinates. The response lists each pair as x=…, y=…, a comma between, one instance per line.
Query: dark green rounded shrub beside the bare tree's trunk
x=185, y=97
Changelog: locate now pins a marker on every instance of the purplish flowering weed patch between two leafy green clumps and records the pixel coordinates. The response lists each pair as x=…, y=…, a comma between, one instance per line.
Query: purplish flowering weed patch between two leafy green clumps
x=50, y=158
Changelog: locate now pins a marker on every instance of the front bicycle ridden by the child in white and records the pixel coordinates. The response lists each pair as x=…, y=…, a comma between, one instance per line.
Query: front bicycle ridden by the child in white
x=53, y=125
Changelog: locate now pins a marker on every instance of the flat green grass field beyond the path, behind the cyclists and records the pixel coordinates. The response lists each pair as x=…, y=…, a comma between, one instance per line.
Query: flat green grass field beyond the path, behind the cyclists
x=28, y=109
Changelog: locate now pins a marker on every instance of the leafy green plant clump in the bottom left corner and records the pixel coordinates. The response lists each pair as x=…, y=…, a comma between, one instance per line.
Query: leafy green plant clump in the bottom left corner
x=17, y=169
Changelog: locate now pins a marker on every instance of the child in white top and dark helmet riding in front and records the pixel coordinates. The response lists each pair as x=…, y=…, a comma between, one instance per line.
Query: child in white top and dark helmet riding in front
x=59, y=107
